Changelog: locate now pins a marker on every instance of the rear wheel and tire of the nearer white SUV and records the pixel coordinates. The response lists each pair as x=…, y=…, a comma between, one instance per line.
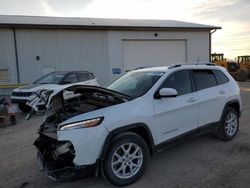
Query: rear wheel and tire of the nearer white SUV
x=229, y=124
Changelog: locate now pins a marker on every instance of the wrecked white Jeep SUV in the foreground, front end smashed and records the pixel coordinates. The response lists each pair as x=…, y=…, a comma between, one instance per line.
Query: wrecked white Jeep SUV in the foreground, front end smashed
x=114, y=130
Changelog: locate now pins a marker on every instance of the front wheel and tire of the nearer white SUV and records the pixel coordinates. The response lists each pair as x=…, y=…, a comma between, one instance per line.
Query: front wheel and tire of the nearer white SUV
x=126, y=159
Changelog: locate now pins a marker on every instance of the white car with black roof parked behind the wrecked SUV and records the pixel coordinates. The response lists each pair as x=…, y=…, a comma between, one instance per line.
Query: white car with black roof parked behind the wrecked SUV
x=50, y=81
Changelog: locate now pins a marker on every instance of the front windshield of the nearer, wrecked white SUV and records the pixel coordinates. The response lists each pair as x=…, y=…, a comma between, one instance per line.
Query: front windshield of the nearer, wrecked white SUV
x=135, y=84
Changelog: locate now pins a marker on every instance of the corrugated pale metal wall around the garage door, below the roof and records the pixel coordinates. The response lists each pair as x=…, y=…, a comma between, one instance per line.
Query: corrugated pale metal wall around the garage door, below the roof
x=96, y=51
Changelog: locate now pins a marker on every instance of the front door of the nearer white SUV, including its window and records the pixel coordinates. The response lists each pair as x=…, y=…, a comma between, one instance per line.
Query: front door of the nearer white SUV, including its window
x=176, y=115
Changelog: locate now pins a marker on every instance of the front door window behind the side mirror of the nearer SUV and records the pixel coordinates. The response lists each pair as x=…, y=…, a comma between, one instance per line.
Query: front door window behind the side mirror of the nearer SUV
x=180, y=81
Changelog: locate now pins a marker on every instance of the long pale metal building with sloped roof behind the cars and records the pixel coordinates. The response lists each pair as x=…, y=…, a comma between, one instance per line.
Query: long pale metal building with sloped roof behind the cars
x=32, y=46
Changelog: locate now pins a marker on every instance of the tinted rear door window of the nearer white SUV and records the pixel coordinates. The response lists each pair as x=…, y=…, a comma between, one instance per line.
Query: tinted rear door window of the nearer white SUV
x=204, y=79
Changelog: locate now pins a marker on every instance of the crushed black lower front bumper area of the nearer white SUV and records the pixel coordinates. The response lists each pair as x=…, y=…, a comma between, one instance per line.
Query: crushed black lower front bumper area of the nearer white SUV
x=55, y=159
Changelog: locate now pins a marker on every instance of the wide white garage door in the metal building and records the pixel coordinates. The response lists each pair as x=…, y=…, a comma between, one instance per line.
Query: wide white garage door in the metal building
x=142, y=53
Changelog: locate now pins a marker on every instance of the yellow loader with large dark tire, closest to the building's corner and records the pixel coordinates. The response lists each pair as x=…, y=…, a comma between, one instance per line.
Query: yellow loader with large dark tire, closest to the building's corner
x=238, y=73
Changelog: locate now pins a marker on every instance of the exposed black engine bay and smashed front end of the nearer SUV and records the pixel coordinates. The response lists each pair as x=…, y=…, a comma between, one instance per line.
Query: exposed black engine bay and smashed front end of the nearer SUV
x=55, y=155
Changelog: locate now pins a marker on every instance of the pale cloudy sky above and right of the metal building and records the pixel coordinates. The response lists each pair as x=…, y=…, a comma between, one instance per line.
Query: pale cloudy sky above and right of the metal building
x=232, y=15
